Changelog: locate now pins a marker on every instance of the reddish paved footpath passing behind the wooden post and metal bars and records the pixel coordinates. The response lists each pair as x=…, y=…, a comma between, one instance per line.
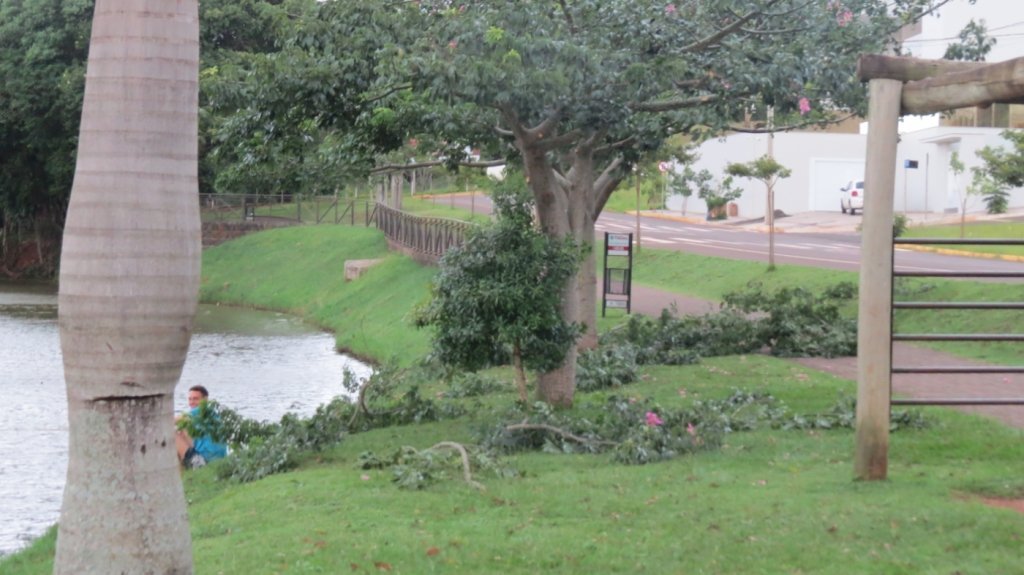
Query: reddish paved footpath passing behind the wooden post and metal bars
x=650, y=301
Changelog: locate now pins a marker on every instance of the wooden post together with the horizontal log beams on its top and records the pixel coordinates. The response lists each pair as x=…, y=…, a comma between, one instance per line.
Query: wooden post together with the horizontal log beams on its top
x=900, y=86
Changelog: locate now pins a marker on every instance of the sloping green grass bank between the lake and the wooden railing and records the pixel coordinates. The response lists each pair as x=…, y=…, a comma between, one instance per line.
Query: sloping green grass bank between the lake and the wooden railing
x=302, y=271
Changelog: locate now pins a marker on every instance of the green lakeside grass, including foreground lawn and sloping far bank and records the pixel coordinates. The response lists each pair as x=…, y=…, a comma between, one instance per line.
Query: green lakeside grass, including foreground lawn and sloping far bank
x=773, y=502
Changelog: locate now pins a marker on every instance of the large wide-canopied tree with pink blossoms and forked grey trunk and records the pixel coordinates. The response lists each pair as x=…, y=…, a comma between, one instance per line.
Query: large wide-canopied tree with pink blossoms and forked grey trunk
x=581, y=90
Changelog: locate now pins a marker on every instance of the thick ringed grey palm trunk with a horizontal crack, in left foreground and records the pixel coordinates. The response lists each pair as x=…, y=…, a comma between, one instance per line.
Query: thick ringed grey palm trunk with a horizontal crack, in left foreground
x=130, y=281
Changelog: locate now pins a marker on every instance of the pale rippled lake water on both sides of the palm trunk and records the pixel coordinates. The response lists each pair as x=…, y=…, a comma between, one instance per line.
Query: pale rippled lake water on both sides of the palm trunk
x=262, y=365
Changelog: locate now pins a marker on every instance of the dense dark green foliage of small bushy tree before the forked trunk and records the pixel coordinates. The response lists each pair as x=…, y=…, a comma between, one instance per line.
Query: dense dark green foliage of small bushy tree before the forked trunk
x=499, y=295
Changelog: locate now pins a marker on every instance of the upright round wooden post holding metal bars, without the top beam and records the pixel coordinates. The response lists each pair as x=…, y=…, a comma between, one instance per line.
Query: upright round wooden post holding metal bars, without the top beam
x=875, y=320
